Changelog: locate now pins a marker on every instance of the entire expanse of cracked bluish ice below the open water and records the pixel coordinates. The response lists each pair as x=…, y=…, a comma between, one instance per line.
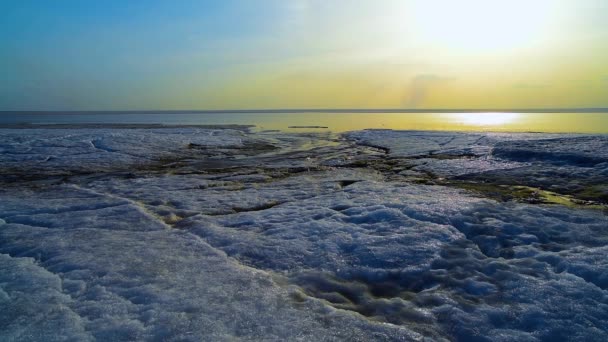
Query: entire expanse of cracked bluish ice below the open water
x=220, y=234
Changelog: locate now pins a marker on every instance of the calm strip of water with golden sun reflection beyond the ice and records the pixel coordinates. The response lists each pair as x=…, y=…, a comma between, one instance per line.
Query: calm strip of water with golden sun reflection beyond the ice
x=340, y=122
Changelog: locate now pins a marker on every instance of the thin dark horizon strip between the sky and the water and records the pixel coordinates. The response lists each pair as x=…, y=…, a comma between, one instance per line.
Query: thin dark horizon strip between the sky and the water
x=316, y=110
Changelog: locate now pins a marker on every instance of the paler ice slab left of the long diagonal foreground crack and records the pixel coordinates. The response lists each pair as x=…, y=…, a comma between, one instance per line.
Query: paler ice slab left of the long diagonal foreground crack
x=124, y=276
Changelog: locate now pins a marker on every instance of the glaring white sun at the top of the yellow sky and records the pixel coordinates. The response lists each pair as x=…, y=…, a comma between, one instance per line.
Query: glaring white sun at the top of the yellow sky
x=482, y=25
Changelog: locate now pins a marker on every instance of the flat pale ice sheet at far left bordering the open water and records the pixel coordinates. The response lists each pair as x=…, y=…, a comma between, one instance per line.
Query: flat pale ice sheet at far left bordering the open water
x=94, y=150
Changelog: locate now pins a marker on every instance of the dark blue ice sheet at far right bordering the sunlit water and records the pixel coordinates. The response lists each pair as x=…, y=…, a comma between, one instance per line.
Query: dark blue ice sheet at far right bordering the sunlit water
x=565, y=163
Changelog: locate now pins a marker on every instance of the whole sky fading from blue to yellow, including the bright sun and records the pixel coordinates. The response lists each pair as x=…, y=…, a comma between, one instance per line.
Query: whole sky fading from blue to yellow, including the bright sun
x=269, y=54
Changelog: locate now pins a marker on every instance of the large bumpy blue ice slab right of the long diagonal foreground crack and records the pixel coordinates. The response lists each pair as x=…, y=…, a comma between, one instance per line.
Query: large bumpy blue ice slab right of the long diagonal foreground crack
x=433, y=259
